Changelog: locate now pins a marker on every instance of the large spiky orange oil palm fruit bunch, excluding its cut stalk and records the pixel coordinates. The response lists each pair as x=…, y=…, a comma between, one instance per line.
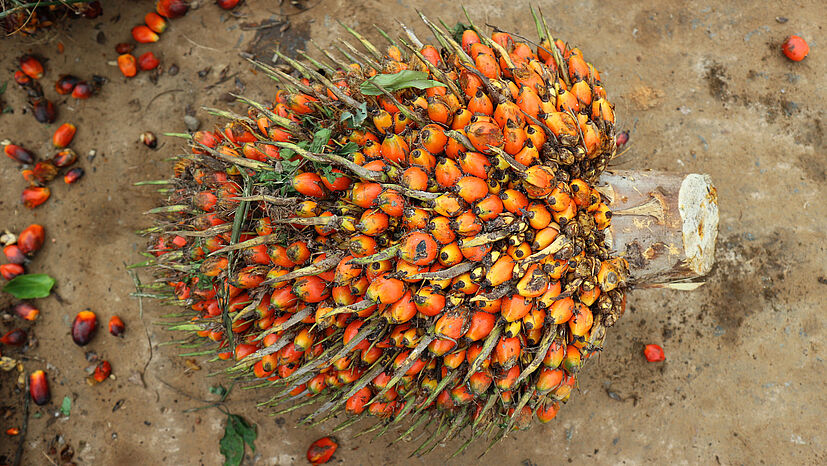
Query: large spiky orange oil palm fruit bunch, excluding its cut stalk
x=414, y=234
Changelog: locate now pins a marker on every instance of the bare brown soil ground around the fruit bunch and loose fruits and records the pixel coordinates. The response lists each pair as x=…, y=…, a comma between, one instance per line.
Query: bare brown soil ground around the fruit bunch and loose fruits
x=703, y=88
